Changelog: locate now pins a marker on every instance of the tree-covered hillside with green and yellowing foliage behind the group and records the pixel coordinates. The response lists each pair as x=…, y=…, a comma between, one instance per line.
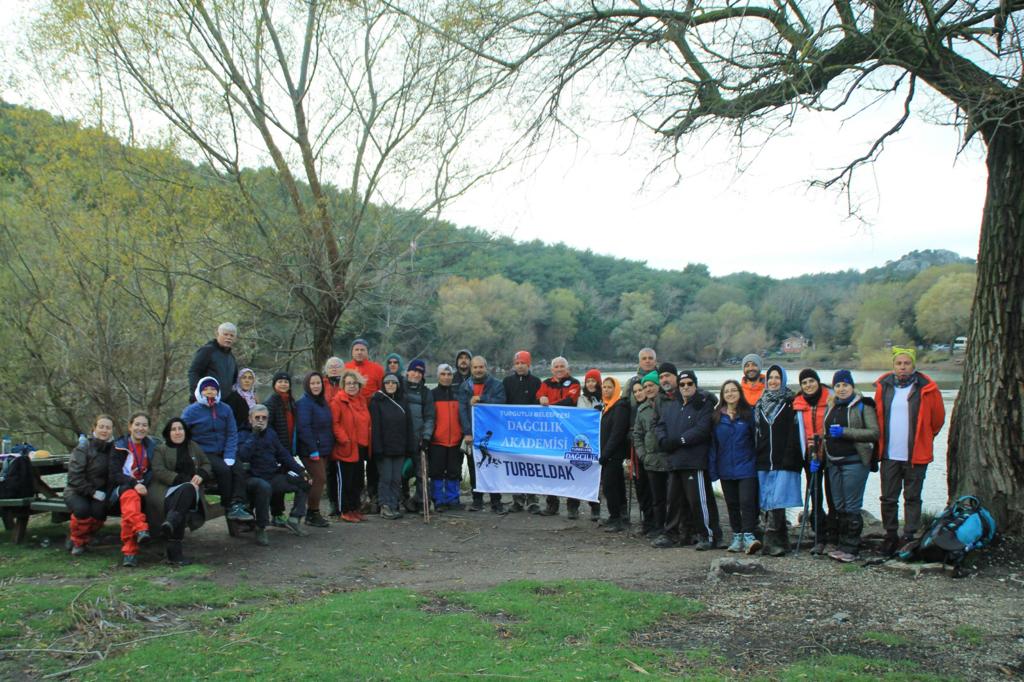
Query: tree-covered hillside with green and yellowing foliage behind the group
x=119, y=262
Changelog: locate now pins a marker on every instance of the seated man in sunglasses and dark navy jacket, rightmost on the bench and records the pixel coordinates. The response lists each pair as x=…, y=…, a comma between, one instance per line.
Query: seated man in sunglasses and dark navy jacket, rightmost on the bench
x=271, y=470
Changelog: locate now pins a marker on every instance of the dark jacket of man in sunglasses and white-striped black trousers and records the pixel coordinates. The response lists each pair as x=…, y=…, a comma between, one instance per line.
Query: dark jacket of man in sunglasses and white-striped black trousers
x=685, y=432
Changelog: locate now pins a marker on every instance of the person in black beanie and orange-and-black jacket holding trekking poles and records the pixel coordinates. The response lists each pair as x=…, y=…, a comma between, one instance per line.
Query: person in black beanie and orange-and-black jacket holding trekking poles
x=810, y=408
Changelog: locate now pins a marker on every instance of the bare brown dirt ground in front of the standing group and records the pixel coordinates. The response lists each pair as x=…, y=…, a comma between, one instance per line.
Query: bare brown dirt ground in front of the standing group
x=799, y=606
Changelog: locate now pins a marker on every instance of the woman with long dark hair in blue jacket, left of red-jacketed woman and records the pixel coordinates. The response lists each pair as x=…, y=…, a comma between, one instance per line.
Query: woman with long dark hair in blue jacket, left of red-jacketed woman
x=315, y=441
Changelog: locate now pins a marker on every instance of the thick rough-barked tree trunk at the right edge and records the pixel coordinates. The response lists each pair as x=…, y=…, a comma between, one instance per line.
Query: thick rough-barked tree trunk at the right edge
x=987, y=437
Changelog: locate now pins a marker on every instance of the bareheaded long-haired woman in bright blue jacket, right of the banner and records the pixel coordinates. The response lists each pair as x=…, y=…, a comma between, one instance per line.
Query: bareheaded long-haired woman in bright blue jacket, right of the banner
x=734, y=461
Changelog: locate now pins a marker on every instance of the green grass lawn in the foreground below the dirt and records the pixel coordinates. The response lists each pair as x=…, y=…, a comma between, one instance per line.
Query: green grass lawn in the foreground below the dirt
x=102, y=622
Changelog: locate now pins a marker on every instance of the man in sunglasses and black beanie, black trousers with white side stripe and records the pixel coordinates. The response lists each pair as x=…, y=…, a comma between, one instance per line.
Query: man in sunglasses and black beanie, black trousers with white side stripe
x=685, y=436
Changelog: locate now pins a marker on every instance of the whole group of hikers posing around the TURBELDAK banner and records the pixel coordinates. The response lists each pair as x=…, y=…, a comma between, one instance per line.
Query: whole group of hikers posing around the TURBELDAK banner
x=379, y=441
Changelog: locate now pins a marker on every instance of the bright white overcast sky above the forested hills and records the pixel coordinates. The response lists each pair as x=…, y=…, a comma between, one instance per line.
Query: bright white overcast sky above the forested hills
x=598, y=193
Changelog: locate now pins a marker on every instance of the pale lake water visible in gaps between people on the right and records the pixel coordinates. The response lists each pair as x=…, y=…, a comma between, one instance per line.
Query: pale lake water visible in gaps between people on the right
x=934, y=495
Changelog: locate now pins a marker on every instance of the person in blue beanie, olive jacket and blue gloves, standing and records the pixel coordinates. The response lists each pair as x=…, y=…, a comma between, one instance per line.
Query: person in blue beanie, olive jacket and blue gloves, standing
x=851, y=433
